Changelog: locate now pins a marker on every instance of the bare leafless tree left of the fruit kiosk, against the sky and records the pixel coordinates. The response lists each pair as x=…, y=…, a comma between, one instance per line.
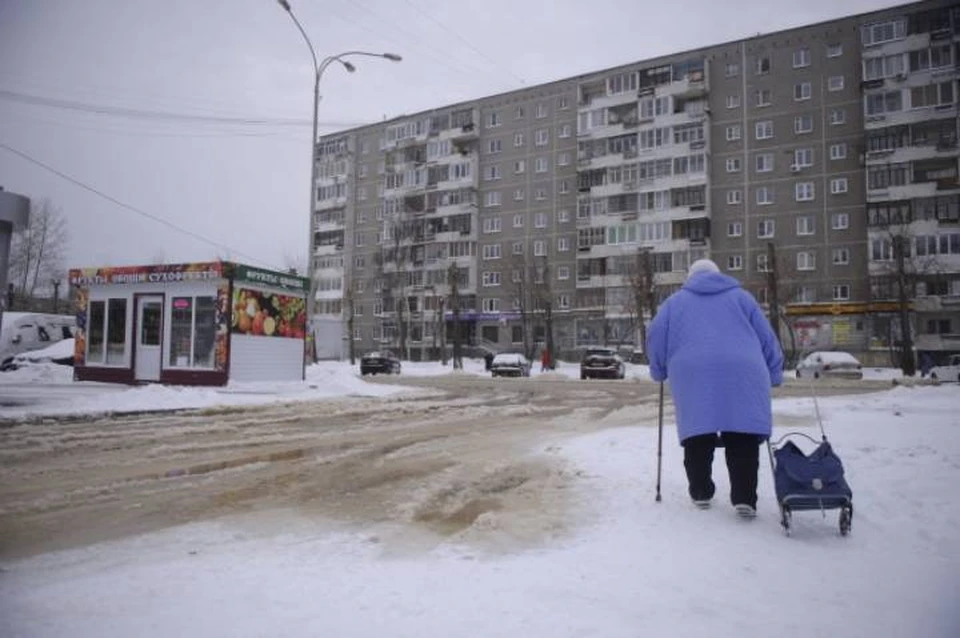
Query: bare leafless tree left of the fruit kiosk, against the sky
x=37, y=252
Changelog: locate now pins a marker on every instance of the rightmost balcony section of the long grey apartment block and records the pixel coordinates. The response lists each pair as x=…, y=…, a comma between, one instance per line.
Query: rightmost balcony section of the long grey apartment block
x=910, y=71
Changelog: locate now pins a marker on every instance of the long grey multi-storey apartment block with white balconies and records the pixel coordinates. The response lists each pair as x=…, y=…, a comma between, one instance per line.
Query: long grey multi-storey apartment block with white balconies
x=563, y=213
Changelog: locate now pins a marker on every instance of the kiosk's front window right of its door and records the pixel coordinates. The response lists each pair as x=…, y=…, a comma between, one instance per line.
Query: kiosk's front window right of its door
x=193, y=331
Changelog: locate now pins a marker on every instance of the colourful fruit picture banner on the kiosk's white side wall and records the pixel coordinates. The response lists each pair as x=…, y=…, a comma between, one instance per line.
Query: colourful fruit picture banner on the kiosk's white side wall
x=266, y=314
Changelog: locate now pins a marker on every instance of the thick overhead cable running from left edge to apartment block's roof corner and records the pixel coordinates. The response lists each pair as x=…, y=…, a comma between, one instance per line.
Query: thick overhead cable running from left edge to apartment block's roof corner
x=155, y=115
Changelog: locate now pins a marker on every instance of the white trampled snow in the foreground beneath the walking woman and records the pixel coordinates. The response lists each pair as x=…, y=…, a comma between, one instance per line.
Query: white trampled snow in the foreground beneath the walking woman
x=632, y=567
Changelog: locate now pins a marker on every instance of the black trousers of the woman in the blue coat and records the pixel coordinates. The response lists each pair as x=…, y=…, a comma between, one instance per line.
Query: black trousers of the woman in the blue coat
x=743, y=462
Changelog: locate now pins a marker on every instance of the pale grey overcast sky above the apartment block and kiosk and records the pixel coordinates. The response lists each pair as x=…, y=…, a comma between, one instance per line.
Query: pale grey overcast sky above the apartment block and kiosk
x=245, y=187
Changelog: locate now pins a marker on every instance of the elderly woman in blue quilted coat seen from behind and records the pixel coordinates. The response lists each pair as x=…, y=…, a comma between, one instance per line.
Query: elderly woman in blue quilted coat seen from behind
x=711, y=340
